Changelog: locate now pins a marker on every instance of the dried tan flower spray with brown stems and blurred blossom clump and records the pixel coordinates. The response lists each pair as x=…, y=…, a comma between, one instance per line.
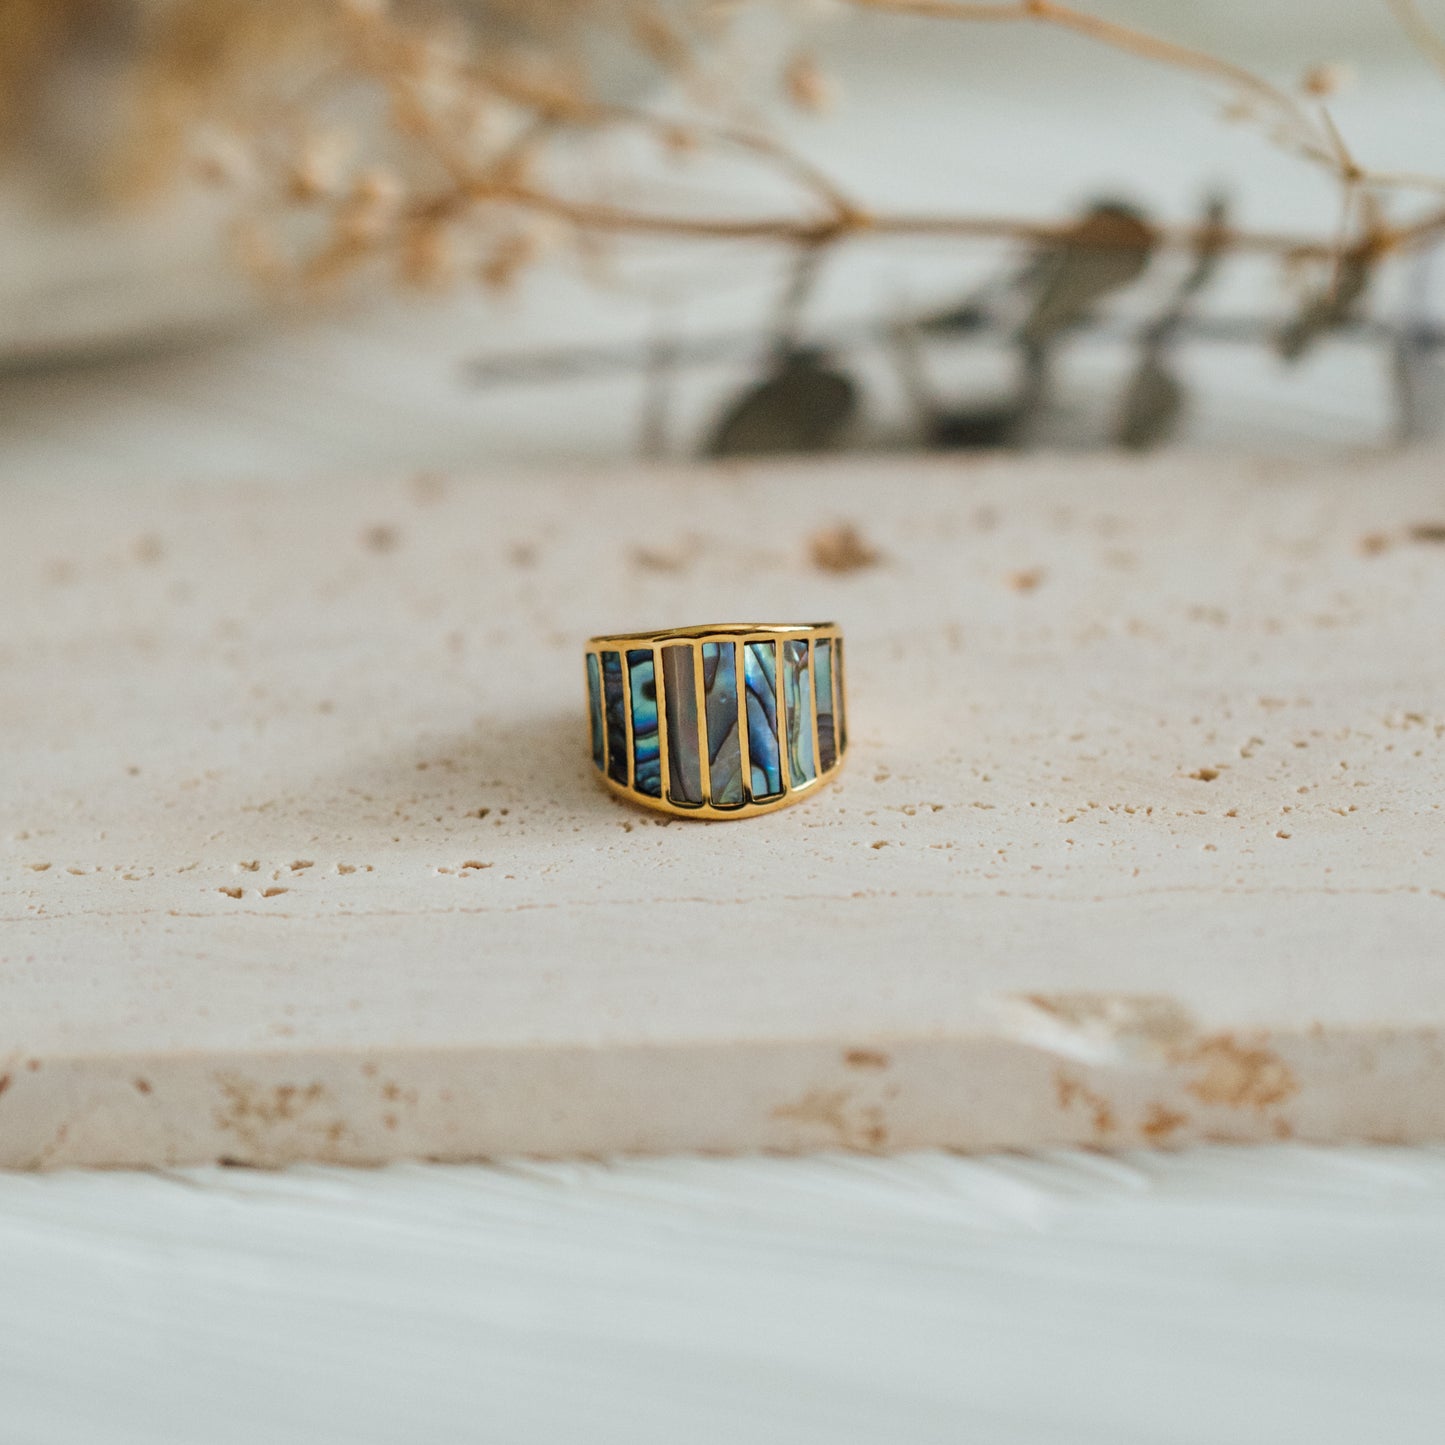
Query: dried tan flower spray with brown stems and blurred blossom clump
x=453, y=168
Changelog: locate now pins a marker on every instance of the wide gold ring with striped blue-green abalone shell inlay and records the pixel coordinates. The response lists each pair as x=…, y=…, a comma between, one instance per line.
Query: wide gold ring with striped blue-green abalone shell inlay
x=673, y=730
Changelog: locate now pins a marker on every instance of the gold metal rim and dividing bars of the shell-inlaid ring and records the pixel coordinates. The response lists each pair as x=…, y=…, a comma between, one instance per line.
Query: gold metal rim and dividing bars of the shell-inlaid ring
x=739, y=634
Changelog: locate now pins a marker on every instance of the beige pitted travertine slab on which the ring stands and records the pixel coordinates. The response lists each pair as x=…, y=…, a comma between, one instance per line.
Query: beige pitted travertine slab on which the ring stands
x=1142, y=833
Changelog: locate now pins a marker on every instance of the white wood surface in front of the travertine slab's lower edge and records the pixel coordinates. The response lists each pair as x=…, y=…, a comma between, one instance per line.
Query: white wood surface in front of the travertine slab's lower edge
x=1256, y=1297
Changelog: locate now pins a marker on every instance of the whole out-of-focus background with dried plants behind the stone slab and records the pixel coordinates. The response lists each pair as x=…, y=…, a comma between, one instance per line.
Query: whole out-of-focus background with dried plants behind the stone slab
x=255, y=239
